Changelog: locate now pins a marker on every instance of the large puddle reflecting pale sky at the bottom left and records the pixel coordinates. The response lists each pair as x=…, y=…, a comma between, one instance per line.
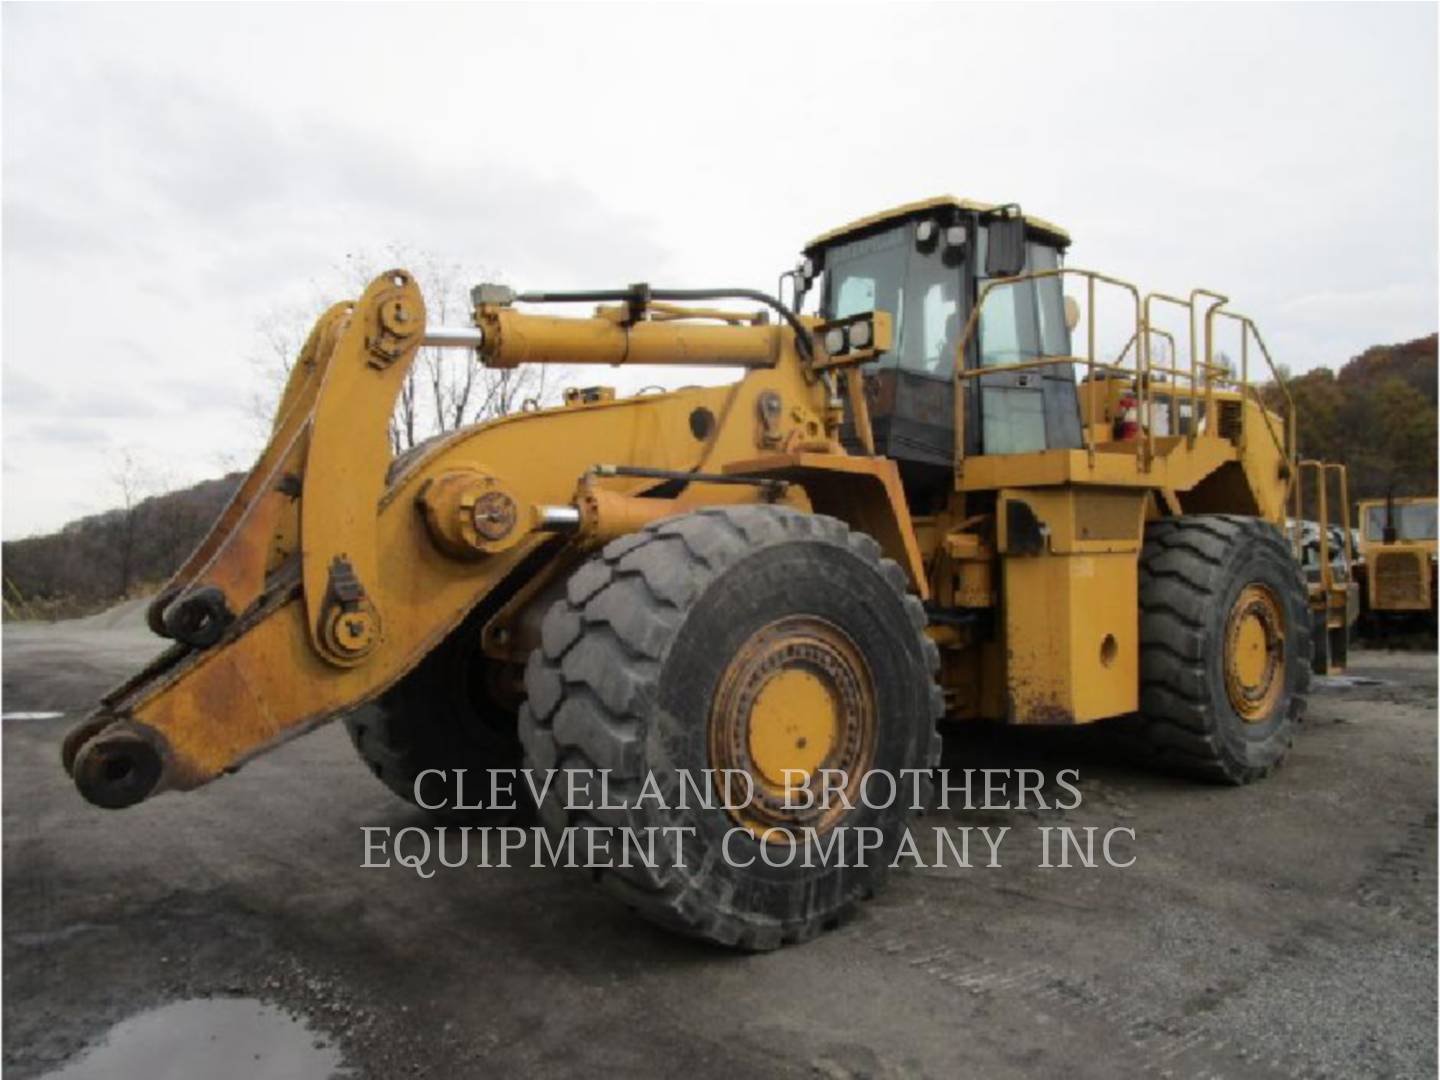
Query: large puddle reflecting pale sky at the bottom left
x=220, y=1039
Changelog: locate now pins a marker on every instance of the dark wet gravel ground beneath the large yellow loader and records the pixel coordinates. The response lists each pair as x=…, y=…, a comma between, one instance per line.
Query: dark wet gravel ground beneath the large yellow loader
x=1287, y=930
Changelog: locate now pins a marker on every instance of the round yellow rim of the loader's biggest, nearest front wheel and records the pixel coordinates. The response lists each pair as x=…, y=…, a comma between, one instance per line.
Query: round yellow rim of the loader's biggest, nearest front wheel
x=797, y=696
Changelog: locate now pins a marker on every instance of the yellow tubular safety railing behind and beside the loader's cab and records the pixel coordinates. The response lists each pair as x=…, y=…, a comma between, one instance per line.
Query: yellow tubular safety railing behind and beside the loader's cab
x=1199, y=382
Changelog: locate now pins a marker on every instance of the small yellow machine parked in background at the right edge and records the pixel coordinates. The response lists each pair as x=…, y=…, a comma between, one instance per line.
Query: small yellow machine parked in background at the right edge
x=1398, y=544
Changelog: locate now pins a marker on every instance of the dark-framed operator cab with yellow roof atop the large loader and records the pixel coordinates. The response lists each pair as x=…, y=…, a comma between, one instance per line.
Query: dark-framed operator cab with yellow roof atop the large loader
x=927, y=264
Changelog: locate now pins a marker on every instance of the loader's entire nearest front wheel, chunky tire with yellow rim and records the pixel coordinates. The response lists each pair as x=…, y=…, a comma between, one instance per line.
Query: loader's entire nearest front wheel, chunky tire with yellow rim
x=752, y=640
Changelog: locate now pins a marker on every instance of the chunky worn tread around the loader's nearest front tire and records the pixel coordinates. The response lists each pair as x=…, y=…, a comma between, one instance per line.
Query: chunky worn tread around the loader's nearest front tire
x=630, y=606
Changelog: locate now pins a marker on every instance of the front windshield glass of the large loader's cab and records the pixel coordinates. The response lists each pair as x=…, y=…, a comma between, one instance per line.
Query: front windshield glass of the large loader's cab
x=888, y=273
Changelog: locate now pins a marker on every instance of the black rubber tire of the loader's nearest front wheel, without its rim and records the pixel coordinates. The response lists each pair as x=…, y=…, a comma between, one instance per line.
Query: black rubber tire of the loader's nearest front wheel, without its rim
x=627, y=680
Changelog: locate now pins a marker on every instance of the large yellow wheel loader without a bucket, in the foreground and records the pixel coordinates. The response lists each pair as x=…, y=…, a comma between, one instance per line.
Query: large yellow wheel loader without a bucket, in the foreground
x=922, y=502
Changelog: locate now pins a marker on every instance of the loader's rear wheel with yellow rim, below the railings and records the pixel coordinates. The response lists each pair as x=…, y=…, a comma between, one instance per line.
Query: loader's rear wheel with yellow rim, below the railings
x=1206, y=584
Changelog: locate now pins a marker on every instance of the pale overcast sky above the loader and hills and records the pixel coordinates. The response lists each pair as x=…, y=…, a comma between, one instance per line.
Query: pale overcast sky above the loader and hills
x=176, y=175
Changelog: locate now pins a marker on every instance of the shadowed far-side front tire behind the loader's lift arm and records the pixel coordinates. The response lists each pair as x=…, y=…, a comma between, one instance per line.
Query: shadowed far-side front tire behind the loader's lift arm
x=444, y=715
